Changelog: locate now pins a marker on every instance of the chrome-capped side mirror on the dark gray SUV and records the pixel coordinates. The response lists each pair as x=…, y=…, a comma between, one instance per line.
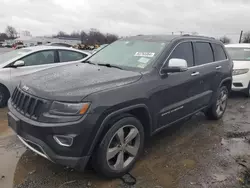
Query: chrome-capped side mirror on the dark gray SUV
x=175, y=65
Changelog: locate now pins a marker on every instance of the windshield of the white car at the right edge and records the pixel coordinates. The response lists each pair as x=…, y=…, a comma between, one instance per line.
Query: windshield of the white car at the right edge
x=239, y=54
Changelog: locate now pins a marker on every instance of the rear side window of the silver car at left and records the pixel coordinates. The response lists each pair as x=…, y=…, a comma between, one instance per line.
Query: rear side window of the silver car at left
x=67, y=55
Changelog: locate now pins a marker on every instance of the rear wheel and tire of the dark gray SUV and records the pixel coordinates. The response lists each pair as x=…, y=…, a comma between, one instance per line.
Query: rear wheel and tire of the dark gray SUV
x=213, y=112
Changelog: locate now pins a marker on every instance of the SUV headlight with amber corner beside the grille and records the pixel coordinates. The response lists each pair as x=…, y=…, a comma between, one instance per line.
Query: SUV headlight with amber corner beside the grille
x=61, y=108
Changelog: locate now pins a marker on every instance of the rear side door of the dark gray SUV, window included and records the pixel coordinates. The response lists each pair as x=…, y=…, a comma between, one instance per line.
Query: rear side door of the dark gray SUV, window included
x=205, y=66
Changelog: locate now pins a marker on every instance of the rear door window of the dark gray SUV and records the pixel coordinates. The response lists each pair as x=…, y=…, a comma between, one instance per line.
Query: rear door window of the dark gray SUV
x=204, y=53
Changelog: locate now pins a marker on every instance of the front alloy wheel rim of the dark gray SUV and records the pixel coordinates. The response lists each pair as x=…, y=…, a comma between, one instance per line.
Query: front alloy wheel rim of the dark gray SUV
x=123, y=147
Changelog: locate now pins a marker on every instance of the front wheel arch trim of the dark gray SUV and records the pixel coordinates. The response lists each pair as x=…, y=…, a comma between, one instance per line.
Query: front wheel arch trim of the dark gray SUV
x=111, y=115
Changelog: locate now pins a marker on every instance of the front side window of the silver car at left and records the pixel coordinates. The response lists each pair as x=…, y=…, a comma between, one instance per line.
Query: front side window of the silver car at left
x=39, y=58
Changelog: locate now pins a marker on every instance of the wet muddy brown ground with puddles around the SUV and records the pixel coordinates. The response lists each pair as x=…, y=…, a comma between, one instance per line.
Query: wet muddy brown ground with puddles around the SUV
x=196, y=153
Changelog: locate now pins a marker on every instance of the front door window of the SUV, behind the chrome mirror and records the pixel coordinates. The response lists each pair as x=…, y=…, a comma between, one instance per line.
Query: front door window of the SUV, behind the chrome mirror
x=184, y=51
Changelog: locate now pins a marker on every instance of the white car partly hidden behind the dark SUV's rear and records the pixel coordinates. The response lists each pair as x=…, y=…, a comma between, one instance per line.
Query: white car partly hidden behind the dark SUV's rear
x=240, y=53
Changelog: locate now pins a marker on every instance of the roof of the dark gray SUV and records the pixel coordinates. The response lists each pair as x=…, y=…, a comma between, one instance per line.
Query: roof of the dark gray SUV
x=165, y=38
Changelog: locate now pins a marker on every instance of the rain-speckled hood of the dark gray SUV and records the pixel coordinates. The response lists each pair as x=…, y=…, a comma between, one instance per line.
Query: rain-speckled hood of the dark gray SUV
x=74, y=82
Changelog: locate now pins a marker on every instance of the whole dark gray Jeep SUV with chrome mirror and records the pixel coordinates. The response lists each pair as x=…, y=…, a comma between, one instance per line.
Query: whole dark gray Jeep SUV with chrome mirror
x=102, y=110
